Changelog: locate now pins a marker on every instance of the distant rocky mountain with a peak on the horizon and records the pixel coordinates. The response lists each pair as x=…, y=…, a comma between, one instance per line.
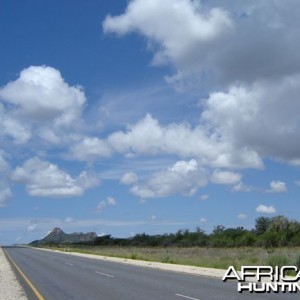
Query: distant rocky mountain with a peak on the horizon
x=57, y=236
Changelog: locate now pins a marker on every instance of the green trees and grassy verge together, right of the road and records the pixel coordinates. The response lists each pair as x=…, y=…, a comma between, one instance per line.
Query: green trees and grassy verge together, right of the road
x=274, y=241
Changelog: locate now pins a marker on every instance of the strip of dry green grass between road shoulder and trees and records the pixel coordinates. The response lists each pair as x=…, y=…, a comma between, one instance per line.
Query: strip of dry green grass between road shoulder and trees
x=220, y=258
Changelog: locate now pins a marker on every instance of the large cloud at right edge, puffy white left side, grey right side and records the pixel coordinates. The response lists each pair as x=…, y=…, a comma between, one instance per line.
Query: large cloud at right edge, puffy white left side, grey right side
x=262, y=118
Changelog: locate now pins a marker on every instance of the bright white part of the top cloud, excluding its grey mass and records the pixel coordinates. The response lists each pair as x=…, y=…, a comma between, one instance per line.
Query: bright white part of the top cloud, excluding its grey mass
x=157, y=19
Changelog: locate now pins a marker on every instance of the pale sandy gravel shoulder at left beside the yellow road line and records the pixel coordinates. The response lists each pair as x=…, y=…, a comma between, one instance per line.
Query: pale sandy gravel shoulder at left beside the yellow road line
x=10, y=289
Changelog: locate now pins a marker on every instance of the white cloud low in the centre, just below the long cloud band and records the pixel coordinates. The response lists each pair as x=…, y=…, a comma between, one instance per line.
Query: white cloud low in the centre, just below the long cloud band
x=183, y=177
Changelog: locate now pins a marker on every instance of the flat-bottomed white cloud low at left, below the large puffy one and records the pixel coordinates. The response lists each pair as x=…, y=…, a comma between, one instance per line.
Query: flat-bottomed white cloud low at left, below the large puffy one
x=45, y=179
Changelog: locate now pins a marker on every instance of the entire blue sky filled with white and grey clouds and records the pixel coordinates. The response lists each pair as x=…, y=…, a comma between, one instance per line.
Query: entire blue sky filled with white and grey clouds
x=123, y=117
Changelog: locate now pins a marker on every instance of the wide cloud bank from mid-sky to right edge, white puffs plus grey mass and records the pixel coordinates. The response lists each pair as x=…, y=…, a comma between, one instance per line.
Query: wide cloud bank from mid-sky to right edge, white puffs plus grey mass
x=238, y=128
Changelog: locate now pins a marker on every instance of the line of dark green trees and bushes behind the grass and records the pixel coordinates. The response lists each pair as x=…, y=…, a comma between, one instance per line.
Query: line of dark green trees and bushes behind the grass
x=269, y=232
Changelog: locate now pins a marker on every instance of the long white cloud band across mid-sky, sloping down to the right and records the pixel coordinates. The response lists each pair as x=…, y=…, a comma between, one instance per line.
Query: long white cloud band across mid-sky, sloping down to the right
x=148, y=137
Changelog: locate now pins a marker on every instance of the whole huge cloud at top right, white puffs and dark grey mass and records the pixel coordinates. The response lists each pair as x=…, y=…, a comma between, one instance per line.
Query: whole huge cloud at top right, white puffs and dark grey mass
x=216, y=40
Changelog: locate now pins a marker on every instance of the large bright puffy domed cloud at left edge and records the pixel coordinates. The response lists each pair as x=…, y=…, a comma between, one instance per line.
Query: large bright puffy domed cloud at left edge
x=40, y=93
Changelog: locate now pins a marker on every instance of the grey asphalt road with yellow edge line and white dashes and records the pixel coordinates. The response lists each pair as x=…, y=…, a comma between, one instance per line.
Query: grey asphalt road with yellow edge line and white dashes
x=60, y=276
